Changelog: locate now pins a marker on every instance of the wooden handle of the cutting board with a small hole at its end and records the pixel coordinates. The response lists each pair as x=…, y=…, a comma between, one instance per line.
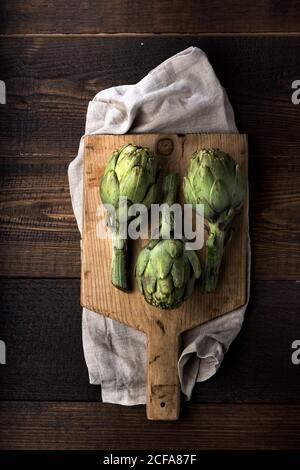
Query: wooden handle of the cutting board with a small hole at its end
x=163, y=390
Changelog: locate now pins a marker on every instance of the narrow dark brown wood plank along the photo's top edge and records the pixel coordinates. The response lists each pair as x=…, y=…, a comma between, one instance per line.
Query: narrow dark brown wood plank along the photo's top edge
x=99, y=16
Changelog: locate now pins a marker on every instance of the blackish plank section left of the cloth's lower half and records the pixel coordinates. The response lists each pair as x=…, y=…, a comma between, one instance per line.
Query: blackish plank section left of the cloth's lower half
x=41, y=326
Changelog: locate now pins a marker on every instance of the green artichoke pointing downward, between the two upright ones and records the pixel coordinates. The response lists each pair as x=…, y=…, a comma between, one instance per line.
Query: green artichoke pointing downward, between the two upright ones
x=165, y=270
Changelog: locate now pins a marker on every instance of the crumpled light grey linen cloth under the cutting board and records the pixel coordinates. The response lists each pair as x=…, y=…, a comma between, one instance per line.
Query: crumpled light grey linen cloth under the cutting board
x=181, y=95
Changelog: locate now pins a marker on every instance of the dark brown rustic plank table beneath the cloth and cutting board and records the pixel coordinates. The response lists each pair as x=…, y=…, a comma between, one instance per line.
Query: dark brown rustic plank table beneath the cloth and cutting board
x=55, y=56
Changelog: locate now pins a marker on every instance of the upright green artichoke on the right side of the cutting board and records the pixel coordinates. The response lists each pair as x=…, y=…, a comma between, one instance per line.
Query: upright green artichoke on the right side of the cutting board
x=215, y=180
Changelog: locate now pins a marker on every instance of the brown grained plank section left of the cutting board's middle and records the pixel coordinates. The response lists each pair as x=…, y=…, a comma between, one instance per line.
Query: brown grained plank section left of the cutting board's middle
x=39, y=235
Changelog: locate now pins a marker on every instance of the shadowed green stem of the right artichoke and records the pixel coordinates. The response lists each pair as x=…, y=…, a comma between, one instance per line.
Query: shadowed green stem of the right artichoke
x=214, y=252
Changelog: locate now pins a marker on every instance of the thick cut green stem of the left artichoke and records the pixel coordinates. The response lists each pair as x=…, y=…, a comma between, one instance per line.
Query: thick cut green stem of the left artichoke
x=119, y=272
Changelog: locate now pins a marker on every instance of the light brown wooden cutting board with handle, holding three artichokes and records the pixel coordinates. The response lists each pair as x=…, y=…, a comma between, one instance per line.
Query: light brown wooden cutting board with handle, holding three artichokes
x=162, y=327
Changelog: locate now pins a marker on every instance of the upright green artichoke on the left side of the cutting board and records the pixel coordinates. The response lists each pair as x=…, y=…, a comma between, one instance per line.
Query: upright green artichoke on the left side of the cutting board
x=130, y=173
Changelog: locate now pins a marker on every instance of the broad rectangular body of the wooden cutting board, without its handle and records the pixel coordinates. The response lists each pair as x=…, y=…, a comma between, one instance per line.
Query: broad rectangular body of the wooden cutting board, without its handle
x=97, y=292
